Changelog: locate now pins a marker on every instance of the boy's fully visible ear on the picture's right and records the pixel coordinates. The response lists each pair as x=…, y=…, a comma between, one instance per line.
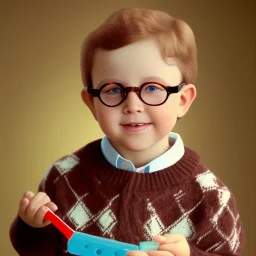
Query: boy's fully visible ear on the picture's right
x=187, y=96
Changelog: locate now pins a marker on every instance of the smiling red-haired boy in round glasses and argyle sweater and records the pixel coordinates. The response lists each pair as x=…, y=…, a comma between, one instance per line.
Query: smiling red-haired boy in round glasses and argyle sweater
x=139, y=182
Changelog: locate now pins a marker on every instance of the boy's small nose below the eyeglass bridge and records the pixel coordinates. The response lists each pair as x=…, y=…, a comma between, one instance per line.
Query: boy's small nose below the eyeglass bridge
x=133, y=104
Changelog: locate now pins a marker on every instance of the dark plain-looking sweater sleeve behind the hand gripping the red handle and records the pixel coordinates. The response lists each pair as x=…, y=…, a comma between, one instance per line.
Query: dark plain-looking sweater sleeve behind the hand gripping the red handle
x=27, y=240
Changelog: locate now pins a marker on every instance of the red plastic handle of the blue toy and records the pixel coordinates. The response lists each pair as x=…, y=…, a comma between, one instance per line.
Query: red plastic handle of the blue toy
x=59, y=224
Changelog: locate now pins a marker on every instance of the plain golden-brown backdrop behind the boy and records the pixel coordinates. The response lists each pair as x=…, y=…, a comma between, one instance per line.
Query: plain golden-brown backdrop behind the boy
x=43, y=117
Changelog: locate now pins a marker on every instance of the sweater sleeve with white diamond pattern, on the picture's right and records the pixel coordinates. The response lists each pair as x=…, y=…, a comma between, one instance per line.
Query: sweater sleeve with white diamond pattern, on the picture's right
x=219, y=230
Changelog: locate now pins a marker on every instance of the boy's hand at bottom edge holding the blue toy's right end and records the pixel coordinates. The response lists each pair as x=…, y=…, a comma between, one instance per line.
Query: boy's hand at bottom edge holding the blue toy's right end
x=169, y=245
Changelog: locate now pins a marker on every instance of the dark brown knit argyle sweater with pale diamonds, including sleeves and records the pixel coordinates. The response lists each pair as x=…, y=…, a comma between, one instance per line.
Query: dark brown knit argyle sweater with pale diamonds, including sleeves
x=96, y=198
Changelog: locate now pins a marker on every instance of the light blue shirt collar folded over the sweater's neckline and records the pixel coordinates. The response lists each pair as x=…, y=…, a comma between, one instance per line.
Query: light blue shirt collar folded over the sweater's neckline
x=170, y=157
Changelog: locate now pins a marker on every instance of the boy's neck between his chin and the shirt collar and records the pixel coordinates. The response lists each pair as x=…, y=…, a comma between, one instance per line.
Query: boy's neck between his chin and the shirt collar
x=144, y=157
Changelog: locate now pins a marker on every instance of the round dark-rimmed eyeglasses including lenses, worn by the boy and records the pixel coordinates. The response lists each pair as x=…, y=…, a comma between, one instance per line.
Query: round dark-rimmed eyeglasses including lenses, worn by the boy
x=151, y=93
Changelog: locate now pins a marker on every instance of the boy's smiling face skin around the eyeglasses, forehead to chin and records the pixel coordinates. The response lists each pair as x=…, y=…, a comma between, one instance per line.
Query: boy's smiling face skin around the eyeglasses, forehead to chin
x=133, y=65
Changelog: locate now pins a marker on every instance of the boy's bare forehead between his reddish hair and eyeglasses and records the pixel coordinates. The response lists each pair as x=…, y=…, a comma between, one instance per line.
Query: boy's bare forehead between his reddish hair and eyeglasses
x=133, y=64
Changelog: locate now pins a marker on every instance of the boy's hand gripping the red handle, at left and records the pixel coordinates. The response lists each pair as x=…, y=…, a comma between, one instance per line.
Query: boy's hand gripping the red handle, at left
x=33, y=207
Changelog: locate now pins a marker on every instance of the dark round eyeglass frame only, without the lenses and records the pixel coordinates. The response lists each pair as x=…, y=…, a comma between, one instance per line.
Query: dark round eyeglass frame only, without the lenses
x=137, y=90
